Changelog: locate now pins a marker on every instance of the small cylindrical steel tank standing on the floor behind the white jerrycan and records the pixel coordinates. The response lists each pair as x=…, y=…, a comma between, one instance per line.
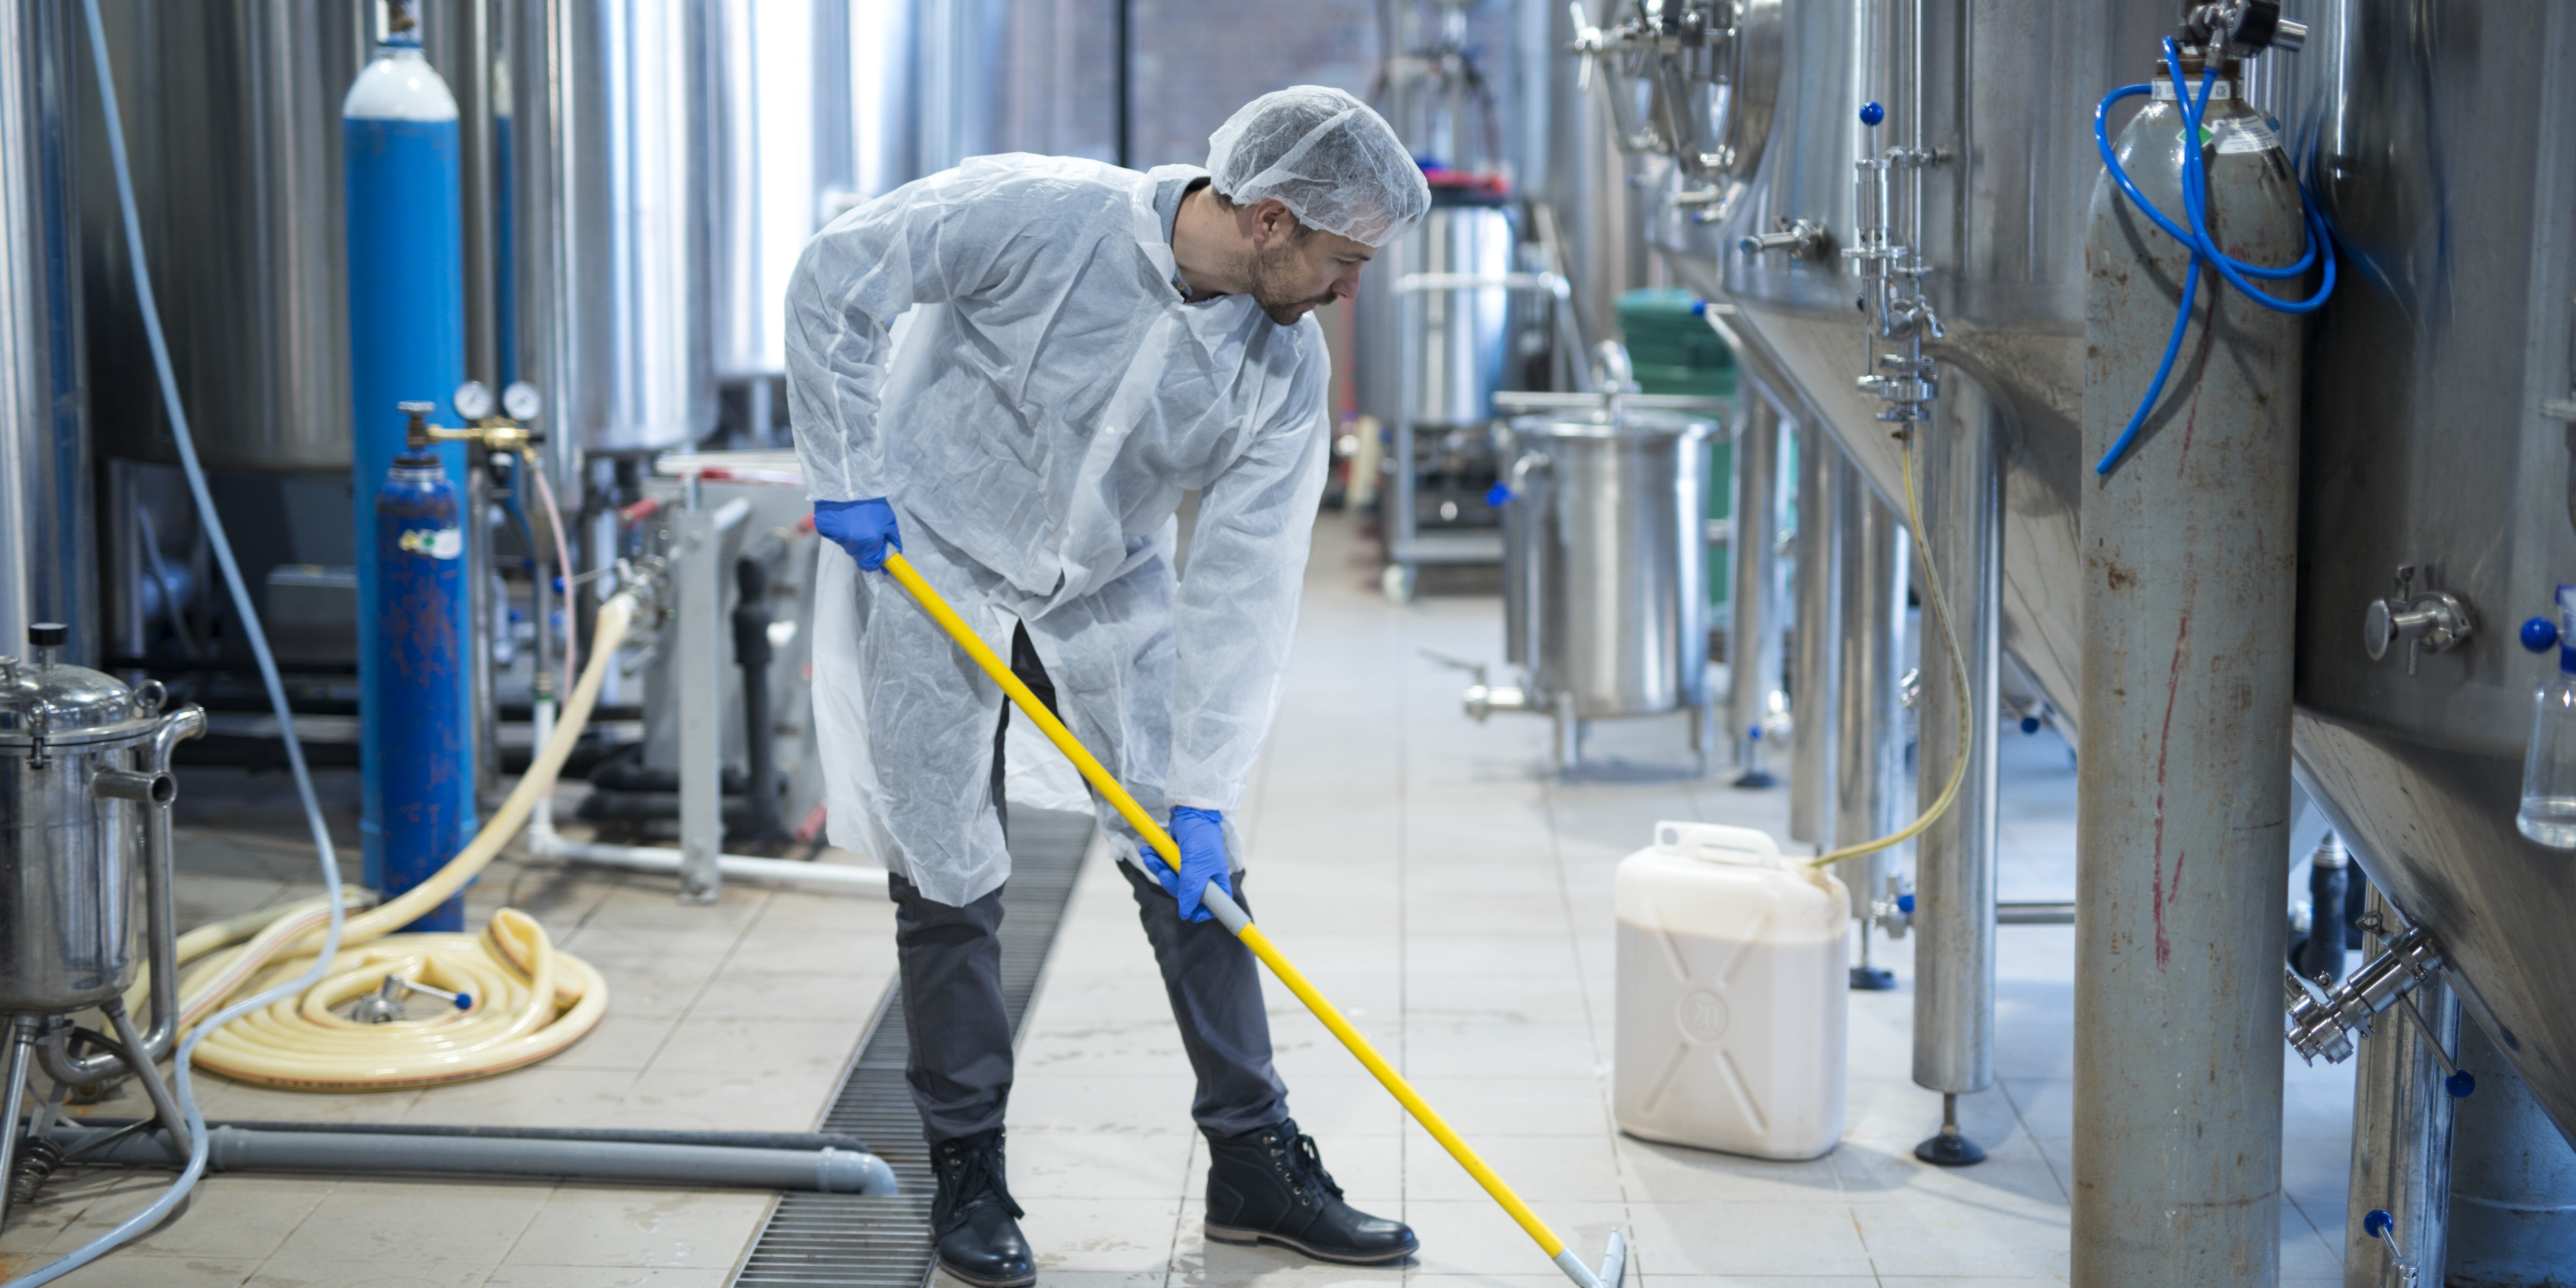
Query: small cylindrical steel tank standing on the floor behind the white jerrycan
x=1604, y=568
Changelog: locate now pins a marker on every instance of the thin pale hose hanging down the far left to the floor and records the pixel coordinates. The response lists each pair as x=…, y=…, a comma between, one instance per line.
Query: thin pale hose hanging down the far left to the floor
x=269, y=676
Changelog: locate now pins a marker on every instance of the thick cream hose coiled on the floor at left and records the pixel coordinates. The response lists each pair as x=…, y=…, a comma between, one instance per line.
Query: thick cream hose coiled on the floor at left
x=527, y=998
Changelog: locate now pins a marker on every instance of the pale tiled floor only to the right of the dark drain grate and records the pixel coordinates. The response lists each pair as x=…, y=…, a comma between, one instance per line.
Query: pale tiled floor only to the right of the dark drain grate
x=1457, y=903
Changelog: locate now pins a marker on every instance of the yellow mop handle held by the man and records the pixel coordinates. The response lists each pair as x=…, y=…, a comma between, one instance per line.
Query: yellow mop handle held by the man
x=1253, y=939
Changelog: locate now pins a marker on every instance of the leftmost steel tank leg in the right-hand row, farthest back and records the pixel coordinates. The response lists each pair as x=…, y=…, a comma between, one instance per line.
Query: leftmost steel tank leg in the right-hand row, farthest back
x=1753, y=635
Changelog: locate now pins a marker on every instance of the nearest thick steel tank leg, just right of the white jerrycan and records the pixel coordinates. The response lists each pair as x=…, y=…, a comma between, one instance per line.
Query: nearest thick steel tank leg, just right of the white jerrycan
x=1962, y=493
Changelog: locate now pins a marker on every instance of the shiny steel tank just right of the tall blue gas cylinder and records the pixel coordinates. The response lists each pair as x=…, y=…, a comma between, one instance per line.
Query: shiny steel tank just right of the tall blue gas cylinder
x=612, y=223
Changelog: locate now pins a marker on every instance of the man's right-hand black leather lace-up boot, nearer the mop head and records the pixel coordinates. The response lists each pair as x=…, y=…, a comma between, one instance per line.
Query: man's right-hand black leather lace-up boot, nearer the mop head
x=1269, y=1186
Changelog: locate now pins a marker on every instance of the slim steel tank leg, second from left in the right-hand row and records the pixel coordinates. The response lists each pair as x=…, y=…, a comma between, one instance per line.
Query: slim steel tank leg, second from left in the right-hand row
x=1812, y=663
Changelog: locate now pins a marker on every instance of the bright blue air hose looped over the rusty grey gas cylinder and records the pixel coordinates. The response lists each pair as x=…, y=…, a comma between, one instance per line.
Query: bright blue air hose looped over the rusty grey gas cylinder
x=2199, y=236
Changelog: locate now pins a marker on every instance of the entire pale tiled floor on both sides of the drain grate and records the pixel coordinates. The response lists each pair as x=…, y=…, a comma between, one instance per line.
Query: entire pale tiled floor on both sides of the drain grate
x=1423, y=869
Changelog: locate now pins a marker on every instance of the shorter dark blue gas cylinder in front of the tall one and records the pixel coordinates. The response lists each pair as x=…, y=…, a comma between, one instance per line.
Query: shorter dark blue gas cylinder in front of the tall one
x=416, y=697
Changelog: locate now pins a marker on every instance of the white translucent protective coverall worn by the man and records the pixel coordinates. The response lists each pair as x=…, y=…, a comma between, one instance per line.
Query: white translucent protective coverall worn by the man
x=1034, y=434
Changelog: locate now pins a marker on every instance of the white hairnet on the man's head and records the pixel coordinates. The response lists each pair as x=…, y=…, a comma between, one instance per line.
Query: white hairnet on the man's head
x=1325, y=156
